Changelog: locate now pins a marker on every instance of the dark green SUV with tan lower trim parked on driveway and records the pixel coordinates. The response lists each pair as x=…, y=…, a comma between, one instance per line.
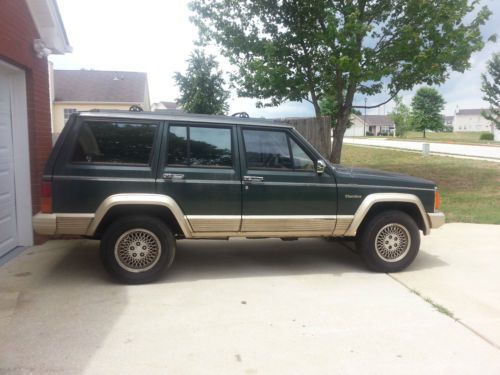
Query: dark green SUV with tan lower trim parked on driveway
x=140, y=181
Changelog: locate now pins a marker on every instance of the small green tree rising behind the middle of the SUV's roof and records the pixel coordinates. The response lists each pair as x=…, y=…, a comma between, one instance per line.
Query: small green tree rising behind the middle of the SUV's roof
x=202, y=88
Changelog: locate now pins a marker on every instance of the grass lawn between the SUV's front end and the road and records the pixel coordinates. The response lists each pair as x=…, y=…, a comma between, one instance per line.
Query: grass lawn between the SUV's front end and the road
x=470, y=189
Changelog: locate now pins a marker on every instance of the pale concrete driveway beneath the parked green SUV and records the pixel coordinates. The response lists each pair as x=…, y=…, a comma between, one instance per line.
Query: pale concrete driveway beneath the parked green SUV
x=257, y=307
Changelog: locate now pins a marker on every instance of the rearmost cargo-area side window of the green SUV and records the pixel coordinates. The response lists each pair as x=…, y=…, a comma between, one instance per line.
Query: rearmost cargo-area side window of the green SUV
x=114, y=143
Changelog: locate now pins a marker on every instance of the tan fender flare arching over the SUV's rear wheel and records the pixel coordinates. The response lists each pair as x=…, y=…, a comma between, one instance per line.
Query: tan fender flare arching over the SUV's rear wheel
x=141, y=199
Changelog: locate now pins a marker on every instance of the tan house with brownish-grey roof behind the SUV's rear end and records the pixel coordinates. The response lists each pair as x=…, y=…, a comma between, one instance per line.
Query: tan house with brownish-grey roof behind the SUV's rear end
x=83, y=90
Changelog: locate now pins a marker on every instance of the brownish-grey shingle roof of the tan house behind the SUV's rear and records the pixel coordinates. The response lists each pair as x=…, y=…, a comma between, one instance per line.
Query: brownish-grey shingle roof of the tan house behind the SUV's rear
x=97, y=86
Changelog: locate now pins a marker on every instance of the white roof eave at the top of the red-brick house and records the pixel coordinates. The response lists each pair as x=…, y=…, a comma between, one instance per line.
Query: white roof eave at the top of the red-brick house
x=49, y=24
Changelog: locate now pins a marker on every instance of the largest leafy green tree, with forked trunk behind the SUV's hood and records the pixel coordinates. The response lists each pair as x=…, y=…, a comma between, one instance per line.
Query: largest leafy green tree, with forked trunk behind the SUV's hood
x=309, y=49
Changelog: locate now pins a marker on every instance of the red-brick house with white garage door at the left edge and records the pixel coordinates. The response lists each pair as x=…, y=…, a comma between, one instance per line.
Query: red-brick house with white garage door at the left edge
x=30, y=30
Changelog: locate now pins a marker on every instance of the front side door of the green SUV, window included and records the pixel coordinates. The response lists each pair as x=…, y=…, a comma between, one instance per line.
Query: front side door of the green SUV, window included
x=281, y=190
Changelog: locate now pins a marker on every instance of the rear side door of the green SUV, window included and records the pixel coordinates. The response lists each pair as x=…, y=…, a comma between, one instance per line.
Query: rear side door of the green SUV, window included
x=200, y=171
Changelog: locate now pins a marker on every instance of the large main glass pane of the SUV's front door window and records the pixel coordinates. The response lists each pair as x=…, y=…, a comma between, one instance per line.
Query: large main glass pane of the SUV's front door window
x=267, y=149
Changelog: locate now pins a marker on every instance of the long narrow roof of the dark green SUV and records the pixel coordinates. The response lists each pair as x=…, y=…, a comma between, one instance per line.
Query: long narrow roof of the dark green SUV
x=182, y=116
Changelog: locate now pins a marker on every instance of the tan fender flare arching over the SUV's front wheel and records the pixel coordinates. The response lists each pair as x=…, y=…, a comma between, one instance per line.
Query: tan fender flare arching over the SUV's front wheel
x=371, y=199
